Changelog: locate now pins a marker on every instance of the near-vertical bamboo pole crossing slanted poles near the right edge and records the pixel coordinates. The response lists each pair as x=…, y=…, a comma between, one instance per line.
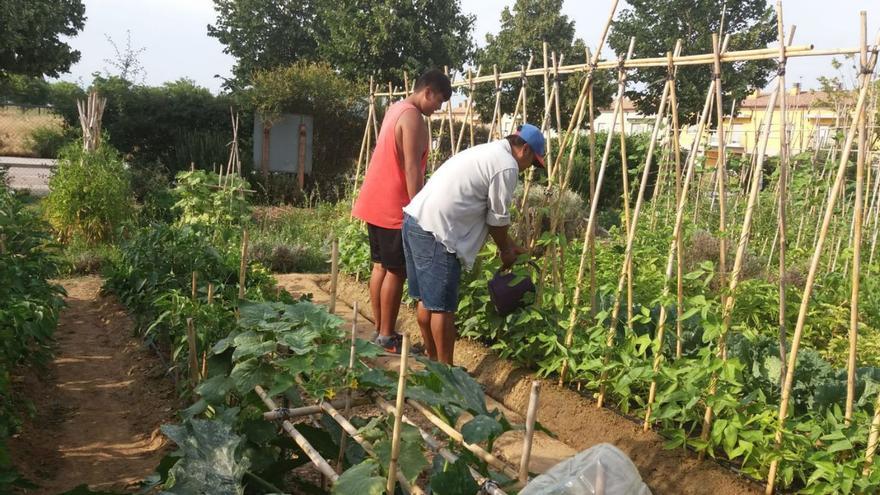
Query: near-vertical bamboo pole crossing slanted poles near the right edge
x=857, y=236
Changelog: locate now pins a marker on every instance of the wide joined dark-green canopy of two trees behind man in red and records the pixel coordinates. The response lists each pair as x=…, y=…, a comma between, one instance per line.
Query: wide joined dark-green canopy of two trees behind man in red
x=358, y=38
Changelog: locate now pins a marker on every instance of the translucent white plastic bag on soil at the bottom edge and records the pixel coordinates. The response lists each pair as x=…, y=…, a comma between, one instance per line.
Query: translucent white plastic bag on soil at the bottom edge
x=600, y=470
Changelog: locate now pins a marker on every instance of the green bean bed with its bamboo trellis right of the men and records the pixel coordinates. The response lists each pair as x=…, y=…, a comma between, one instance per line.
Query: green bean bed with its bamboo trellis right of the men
x=734, y=308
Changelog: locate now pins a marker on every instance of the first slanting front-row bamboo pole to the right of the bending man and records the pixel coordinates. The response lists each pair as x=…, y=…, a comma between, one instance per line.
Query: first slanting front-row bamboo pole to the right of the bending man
x=591, y=224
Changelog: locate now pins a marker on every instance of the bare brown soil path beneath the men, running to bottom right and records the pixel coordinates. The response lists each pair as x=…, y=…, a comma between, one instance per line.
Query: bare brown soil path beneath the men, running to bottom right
x=574, y=418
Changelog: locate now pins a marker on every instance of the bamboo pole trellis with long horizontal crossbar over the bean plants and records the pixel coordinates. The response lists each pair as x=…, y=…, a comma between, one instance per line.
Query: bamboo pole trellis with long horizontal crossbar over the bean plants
x=864, y=210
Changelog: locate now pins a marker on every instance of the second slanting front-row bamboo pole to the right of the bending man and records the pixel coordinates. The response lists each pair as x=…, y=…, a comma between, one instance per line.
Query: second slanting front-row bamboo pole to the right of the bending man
x=631, y=234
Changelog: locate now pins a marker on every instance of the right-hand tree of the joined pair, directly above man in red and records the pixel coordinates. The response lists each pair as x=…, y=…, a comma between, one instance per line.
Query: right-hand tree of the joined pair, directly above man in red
x=386, y=38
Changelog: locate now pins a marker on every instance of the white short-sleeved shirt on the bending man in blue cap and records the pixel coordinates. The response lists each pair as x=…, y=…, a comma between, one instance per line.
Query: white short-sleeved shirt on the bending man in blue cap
x=468, y=193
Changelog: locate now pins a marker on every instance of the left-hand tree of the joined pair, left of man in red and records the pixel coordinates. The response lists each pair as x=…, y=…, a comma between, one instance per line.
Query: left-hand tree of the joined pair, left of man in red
x=264, y=35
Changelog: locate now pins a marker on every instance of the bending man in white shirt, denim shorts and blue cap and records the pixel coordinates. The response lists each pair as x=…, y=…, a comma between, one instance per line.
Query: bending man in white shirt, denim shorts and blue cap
x=447, y=222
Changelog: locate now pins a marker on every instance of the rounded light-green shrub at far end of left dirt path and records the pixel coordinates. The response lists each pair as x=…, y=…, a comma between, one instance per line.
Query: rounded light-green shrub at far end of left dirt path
x=89, y=193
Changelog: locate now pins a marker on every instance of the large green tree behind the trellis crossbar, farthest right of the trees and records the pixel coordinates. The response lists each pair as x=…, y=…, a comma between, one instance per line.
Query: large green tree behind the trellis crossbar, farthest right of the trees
x=656, y=25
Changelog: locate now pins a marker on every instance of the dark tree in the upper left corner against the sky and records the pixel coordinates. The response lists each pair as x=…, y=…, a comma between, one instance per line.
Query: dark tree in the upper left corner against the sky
x=30, y=31
